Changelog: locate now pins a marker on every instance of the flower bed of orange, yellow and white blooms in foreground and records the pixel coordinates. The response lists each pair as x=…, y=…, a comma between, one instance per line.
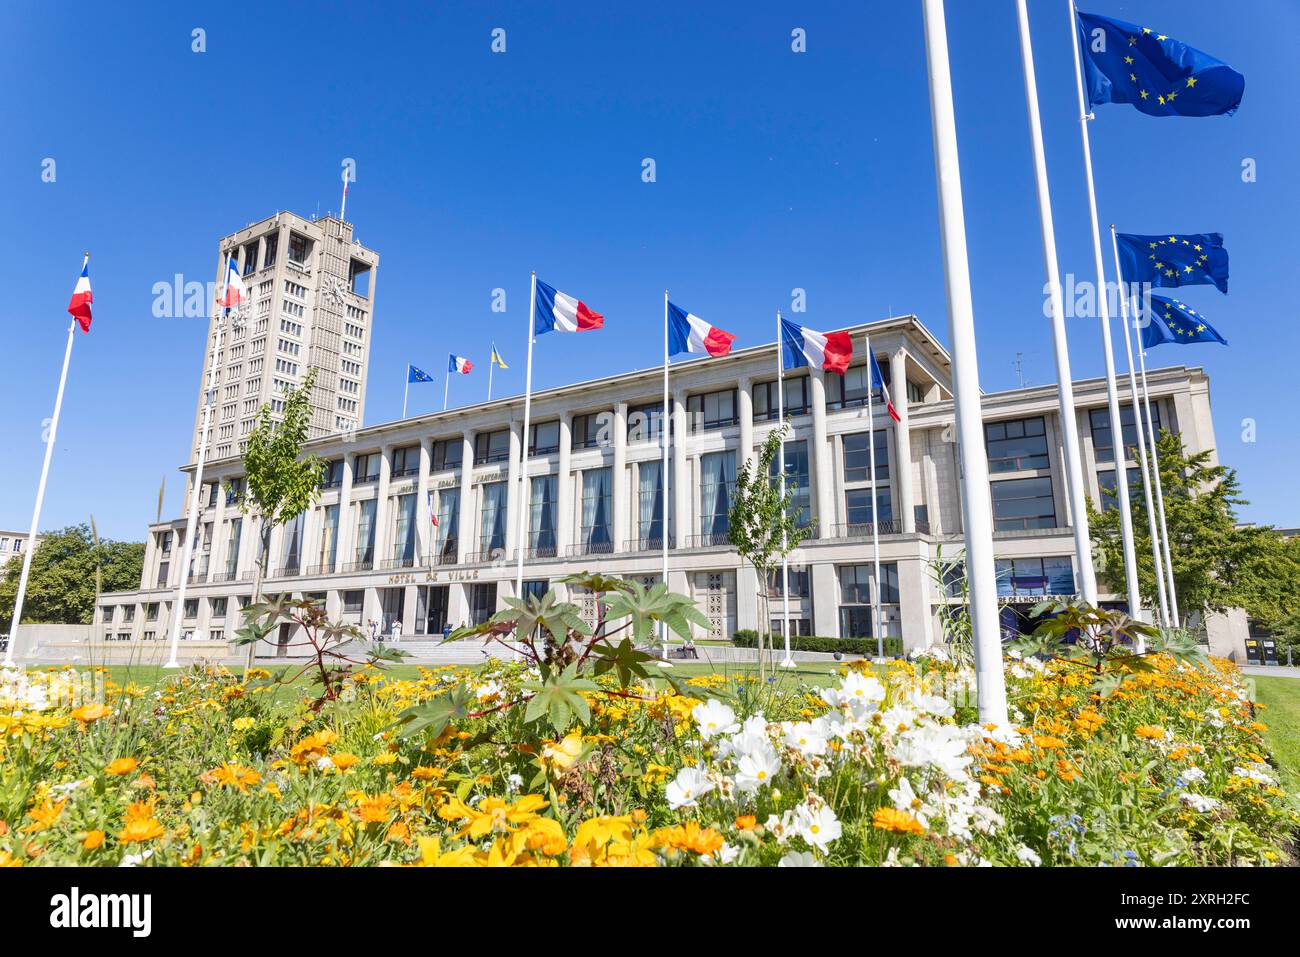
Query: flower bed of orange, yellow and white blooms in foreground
x=209, y=769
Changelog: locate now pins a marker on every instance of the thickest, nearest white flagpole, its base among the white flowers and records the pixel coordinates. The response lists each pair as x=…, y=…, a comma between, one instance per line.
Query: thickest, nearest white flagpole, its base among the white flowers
x=977, y=500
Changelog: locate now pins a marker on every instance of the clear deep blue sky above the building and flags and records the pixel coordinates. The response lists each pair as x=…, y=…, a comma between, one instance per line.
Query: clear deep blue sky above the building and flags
x=775, y=171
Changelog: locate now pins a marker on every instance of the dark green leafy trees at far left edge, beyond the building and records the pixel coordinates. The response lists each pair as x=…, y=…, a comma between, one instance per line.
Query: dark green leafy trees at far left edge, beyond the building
x=64, y=571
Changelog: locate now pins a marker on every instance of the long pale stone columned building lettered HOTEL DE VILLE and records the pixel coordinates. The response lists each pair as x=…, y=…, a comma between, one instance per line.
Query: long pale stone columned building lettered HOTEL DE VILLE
x=418, y=521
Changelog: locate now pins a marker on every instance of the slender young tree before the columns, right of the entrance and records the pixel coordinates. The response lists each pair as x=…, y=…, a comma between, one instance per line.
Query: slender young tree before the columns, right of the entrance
x=764, y=525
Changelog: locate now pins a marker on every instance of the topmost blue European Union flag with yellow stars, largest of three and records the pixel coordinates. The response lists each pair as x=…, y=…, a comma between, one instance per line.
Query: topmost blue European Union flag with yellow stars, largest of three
x=1160, y=76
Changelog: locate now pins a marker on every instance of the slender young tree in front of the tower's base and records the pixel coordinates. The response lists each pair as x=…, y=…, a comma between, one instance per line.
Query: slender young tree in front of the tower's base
x=280, y=482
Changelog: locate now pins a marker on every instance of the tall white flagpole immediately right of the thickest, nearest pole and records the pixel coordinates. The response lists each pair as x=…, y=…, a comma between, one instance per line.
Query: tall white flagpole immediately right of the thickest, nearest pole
x=1065, y=380
